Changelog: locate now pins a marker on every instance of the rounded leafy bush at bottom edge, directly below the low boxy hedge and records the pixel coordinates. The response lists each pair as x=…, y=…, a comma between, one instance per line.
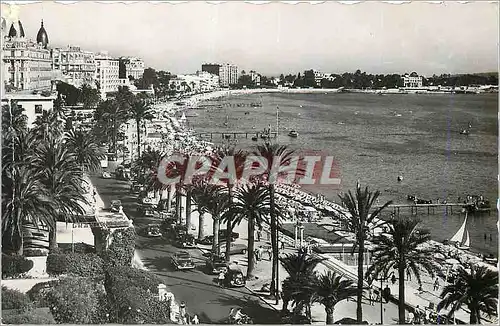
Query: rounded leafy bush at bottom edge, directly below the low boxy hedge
x=75, y=300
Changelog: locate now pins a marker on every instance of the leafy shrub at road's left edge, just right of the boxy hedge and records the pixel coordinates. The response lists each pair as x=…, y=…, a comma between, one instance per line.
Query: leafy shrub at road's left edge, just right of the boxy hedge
x=121, y=250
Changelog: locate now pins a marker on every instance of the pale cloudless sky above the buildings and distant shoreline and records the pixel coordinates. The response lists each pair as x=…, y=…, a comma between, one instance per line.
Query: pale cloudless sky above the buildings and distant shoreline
x=274, y=38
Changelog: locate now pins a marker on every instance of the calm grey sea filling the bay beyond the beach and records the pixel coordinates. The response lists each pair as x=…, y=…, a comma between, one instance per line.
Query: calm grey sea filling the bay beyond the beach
x=376, y=138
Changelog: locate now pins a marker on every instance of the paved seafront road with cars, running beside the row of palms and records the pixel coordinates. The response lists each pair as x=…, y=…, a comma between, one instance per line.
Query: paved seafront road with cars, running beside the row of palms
x=195, y=287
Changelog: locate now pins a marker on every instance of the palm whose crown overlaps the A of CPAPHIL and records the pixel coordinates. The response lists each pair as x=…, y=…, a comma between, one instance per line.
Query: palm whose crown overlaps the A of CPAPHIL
x=239, y=159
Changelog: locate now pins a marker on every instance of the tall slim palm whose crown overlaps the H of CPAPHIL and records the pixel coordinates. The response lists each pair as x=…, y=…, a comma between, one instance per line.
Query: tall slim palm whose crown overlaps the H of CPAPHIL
x=279, y=155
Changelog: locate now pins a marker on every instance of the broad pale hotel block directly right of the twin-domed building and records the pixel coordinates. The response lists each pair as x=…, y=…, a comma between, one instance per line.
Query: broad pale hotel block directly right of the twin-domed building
x=78, y=67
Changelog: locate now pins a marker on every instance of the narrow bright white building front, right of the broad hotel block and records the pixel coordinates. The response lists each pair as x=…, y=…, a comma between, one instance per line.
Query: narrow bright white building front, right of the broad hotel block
x=107, y=74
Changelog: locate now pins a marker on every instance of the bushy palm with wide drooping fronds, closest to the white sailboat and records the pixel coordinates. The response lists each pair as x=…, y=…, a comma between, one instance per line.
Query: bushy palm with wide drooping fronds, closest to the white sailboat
x=401, y=248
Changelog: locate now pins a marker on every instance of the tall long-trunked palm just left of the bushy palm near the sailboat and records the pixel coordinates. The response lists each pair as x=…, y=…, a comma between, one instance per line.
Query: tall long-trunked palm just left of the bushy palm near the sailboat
x=358, y=220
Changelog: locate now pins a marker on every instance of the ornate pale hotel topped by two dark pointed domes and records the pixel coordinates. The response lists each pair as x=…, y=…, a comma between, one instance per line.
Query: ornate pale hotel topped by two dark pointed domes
x=26, y=65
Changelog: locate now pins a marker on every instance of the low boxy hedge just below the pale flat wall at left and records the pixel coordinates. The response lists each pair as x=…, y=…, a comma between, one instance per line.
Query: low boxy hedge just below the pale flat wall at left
x=78, y=264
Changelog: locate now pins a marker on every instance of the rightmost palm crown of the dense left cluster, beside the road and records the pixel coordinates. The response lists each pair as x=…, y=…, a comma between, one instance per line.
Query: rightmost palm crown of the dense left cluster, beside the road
x=87, y=153
